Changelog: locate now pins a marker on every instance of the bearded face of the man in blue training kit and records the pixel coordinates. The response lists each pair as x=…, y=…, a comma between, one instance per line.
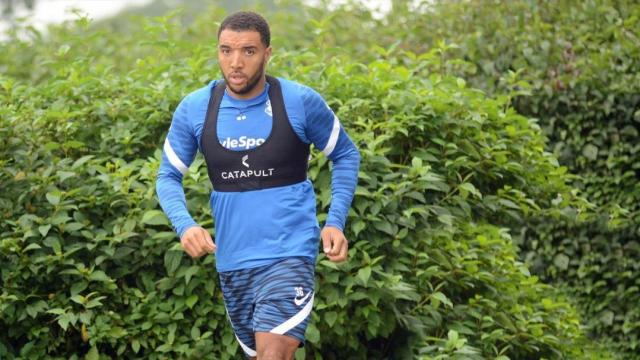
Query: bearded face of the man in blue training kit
x=242, y=58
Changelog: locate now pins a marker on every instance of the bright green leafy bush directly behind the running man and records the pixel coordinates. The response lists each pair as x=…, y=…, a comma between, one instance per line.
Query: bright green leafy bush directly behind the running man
x=90, y=266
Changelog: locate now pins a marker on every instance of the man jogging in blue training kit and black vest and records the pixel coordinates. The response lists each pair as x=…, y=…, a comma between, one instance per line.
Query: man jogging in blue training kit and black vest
x=254, y=132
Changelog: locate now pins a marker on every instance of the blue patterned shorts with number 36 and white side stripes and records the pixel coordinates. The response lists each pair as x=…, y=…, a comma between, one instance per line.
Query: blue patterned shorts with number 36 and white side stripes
x=275, y=298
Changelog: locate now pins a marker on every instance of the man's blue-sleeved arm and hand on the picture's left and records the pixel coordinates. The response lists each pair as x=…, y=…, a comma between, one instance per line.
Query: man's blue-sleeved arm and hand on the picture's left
x=179, y=149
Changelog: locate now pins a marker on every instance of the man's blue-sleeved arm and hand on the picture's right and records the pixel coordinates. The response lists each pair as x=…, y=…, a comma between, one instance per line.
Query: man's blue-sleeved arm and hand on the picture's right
x=324, y=130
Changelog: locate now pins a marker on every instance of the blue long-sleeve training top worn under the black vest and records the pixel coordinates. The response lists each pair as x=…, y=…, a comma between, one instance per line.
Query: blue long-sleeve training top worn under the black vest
x=255, y=228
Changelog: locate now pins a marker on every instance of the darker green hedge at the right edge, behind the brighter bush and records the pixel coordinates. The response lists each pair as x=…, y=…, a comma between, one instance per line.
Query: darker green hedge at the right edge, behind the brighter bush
x=582, y=61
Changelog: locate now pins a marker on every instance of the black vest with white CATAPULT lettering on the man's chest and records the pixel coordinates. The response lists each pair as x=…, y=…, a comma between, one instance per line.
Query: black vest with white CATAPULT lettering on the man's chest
x=281, y=160
